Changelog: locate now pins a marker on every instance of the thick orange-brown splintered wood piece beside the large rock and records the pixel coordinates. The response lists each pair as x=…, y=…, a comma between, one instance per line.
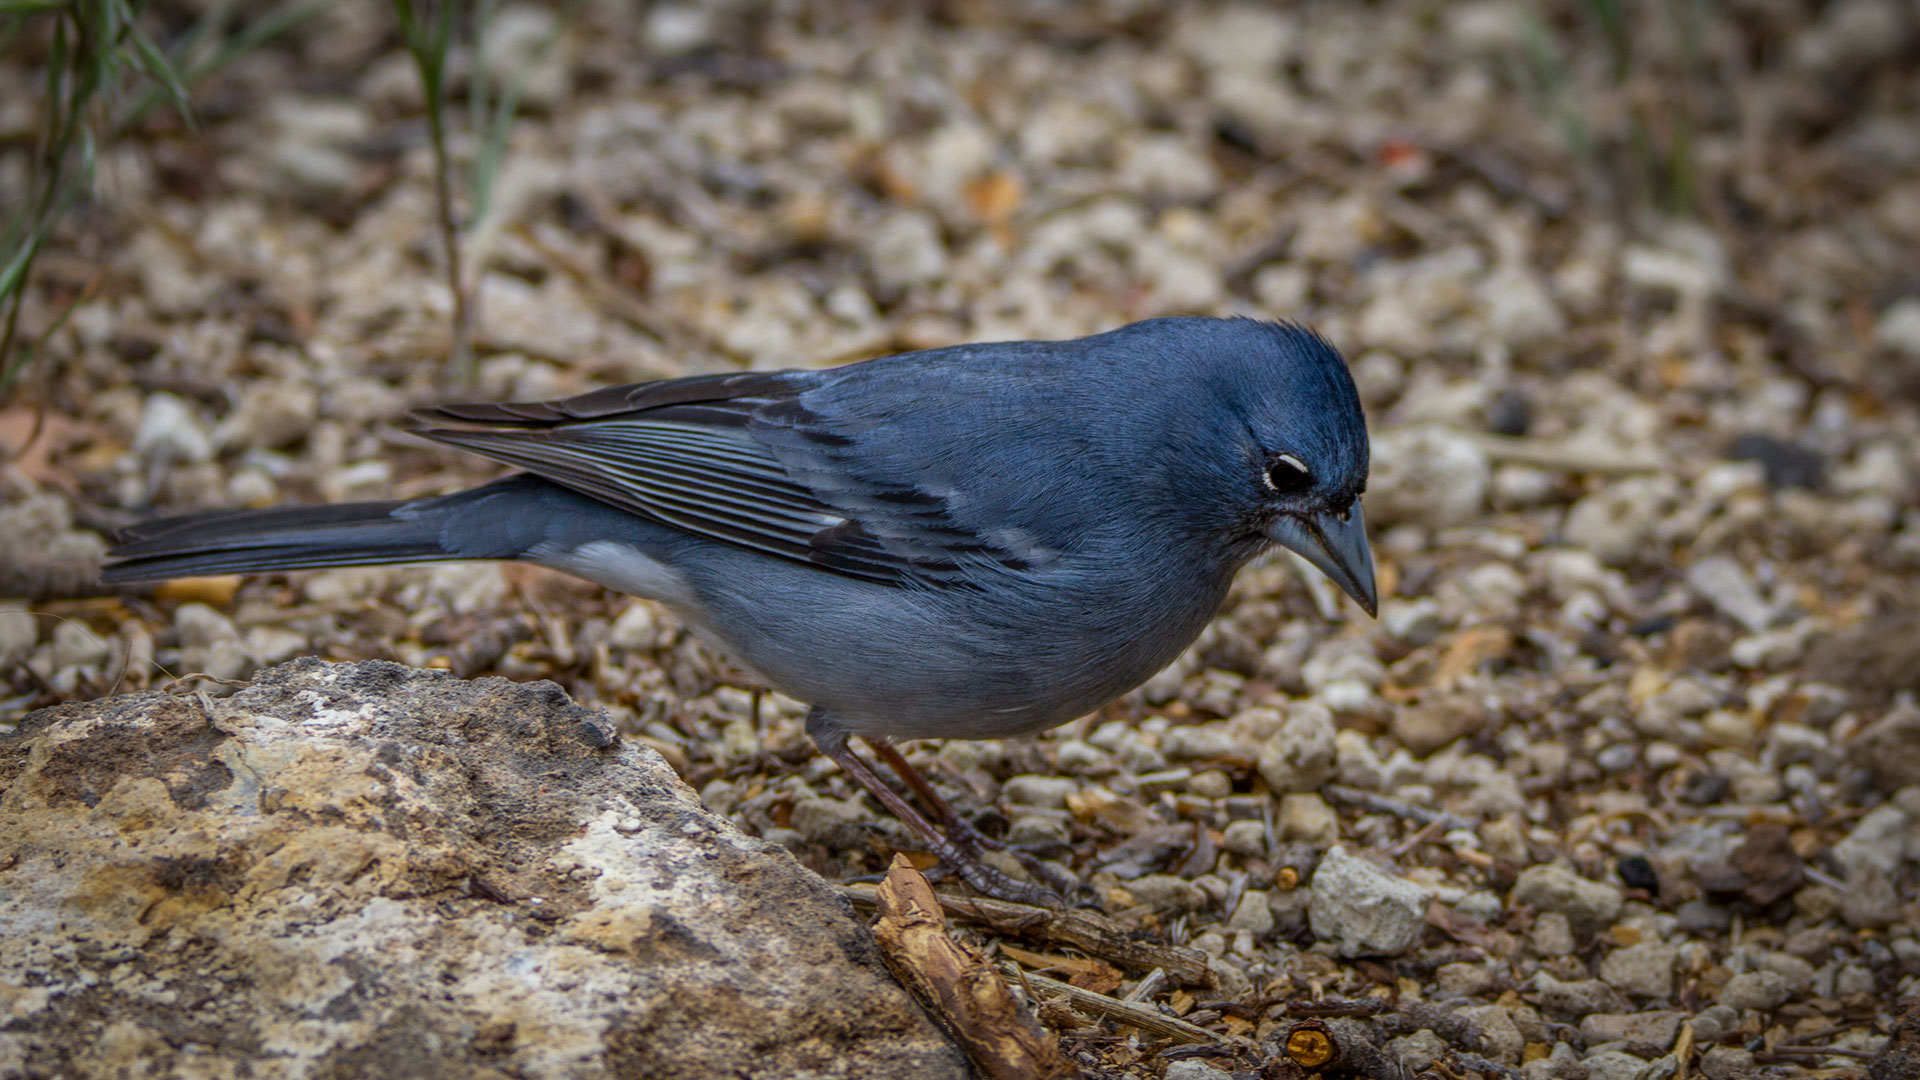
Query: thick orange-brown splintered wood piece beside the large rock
x=959, y=985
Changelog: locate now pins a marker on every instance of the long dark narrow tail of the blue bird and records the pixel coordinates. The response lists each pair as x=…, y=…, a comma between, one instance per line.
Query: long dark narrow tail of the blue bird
x=283, y=539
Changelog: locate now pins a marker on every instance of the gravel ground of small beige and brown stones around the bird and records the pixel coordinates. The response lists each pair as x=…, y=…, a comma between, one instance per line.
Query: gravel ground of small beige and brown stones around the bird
x=1625, y=777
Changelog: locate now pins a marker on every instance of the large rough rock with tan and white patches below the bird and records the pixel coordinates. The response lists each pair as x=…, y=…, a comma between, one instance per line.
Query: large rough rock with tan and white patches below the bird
x=375, y=871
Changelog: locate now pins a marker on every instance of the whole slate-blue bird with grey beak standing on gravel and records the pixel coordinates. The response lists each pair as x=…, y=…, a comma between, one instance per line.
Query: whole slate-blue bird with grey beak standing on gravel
x=965, y=543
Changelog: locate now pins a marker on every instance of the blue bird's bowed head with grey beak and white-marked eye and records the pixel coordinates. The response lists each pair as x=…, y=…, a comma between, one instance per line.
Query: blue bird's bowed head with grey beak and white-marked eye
x=1295, y=458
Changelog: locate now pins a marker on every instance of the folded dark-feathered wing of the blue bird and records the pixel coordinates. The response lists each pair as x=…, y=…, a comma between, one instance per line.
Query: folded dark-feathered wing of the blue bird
x=696, y=454
